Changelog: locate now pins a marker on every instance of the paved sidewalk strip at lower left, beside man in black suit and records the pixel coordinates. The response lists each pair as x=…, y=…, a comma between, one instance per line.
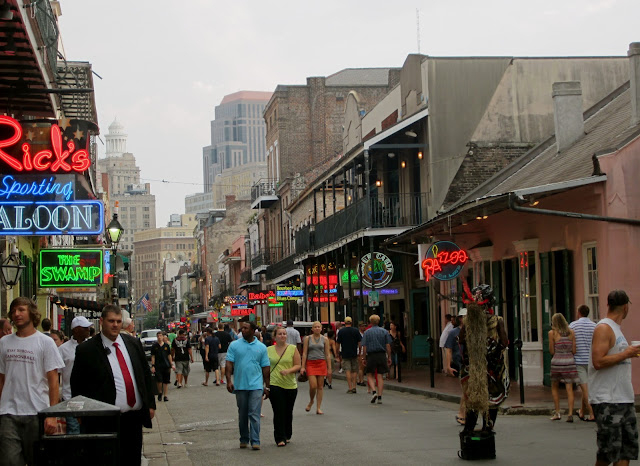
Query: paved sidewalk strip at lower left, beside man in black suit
x=161, y=445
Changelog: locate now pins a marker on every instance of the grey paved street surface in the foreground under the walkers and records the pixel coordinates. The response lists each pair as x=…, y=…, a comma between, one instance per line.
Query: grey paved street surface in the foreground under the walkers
x=406, y=429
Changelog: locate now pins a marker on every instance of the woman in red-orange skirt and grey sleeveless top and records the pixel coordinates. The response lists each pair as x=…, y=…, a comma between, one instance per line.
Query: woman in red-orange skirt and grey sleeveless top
x=316, y=363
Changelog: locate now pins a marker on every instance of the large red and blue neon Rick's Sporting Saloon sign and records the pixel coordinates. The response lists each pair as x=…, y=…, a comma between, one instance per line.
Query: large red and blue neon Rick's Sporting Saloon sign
x=43, y=188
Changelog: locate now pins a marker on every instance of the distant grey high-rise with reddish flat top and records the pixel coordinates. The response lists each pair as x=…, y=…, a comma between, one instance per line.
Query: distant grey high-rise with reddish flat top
x=236, y=157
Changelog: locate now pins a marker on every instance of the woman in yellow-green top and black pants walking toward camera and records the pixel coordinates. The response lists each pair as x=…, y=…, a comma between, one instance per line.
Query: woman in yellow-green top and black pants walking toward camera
x=284, y=361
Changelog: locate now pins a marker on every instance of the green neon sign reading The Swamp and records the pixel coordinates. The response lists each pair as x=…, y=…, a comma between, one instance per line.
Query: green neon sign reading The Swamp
x=70, y=268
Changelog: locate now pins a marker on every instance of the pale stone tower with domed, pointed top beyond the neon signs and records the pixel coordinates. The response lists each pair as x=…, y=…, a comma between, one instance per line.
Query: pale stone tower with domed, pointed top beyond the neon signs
x=119, y=172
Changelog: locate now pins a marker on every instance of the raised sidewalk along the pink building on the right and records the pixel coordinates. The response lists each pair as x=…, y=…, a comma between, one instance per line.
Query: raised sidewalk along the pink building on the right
x=538, y=399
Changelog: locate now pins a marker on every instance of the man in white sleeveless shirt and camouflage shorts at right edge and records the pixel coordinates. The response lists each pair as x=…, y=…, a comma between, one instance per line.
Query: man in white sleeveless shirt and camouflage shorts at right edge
x=610, y=389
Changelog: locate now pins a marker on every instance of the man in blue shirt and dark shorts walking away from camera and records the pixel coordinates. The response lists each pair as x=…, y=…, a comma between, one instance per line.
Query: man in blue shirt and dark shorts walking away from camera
x=376, y=345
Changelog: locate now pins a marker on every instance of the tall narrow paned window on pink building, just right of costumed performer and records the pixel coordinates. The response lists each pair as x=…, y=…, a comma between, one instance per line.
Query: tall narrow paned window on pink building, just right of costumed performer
x=528, y=296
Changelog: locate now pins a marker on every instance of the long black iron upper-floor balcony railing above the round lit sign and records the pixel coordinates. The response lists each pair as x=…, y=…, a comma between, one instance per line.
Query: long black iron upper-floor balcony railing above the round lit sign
x=381, y=211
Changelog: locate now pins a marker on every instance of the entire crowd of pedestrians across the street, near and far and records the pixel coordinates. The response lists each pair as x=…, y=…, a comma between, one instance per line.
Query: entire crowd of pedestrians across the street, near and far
x=39, y=369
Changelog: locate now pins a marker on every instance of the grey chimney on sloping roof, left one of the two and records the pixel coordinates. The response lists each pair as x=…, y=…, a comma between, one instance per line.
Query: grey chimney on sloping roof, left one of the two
x=567, y=113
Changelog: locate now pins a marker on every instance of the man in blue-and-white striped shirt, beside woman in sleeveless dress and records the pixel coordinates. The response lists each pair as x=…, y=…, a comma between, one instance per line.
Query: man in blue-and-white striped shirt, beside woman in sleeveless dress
x=583, y=329
